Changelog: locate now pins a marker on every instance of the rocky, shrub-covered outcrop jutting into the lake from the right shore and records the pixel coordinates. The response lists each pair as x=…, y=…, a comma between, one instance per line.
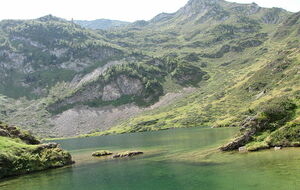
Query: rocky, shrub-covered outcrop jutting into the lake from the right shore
x=277, y=125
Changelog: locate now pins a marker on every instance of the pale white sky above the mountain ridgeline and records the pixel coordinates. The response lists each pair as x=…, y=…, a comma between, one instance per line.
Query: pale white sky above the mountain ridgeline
x=126, y=10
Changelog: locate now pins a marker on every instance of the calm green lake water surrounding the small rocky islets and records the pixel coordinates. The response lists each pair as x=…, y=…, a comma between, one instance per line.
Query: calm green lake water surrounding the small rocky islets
x=182, y=159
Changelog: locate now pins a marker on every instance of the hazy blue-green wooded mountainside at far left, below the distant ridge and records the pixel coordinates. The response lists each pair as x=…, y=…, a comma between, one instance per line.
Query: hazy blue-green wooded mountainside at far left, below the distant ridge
x=39, y=53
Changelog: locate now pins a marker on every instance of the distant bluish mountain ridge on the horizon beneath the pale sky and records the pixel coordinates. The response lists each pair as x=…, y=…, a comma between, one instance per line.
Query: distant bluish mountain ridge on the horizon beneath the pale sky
x=103, y=24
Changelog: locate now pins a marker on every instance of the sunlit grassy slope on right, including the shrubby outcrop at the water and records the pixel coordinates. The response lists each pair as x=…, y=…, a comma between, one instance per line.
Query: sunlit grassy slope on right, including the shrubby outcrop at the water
x=263, y=97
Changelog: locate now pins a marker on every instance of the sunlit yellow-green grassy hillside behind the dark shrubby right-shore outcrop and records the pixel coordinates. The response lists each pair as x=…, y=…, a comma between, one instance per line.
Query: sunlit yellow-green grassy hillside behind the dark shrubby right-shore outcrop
x=237, y=89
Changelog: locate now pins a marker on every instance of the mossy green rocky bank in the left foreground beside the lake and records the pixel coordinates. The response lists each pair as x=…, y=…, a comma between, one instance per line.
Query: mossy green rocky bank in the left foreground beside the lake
x=20, y=153
